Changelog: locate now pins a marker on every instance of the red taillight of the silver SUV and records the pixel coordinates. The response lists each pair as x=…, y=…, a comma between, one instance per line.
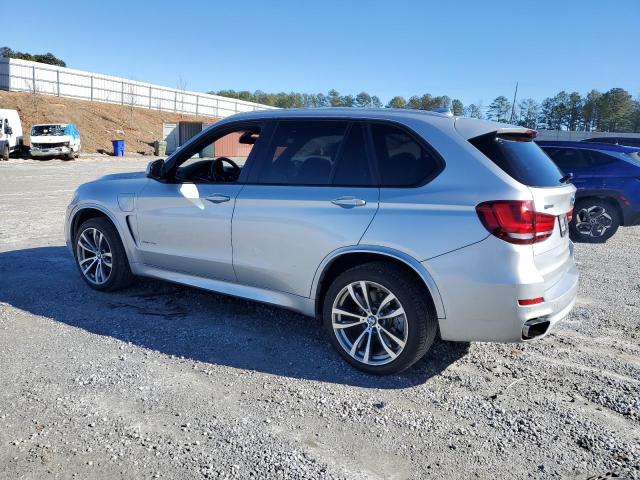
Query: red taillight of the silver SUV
x=516, y=221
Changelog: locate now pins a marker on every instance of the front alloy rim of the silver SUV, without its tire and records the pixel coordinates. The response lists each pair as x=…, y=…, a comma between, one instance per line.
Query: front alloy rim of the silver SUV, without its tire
x=94, y=257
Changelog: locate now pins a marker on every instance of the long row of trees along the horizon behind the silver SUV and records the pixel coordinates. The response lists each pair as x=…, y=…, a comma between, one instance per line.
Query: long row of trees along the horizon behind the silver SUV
x=612, y=111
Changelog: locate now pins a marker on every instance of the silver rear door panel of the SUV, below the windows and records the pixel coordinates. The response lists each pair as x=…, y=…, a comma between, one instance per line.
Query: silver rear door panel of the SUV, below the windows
x=281, y=234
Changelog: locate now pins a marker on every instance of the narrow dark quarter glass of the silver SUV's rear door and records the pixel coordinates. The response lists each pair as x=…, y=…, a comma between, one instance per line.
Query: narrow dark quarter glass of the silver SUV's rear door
x=352, y=168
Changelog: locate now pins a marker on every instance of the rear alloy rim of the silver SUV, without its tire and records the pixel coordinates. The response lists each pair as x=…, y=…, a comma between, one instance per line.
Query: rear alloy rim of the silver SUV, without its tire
x=369, y=323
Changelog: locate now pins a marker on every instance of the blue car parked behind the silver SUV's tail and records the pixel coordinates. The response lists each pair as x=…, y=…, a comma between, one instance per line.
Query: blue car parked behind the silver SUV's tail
x=608, y=181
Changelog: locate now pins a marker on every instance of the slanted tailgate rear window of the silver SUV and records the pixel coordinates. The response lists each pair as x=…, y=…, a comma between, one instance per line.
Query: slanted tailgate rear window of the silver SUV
x=523, y=160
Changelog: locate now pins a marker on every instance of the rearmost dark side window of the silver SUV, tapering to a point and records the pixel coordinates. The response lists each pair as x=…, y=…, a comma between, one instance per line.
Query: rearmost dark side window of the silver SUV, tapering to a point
x=402, y=161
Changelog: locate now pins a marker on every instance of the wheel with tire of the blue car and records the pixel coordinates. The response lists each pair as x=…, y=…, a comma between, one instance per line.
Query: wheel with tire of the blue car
x=594, y=220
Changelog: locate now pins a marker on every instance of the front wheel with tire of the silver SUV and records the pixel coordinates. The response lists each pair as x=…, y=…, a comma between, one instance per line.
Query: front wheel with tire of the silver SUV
x=112, y=278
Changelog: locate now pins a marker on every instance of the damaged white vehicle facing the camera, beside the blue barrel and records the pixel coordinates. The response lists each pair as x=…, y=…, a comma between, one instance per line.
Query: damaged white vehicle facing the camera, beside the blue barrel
x=55, y=140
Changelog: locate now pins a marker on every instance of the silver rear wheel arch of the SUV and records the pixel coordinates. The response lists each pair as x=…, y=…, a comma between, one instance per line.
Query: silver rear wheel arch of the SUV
x=347, y=257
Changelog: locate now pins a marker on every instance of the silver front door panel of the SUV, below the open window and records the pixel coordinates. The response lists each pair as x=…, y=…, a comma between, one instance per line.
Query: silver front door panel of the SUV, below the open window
x=186, y=227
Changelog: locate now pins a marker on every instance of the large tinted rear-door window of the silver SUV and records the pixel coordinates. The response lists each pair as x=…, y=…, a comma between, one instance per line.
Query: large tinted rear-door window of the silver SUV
x=303, y=153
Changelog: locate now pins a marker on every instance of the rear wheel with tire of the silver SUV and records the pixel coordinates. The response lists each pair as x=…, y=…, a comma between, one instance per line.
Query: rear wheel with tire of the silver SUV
x=419, y=322
